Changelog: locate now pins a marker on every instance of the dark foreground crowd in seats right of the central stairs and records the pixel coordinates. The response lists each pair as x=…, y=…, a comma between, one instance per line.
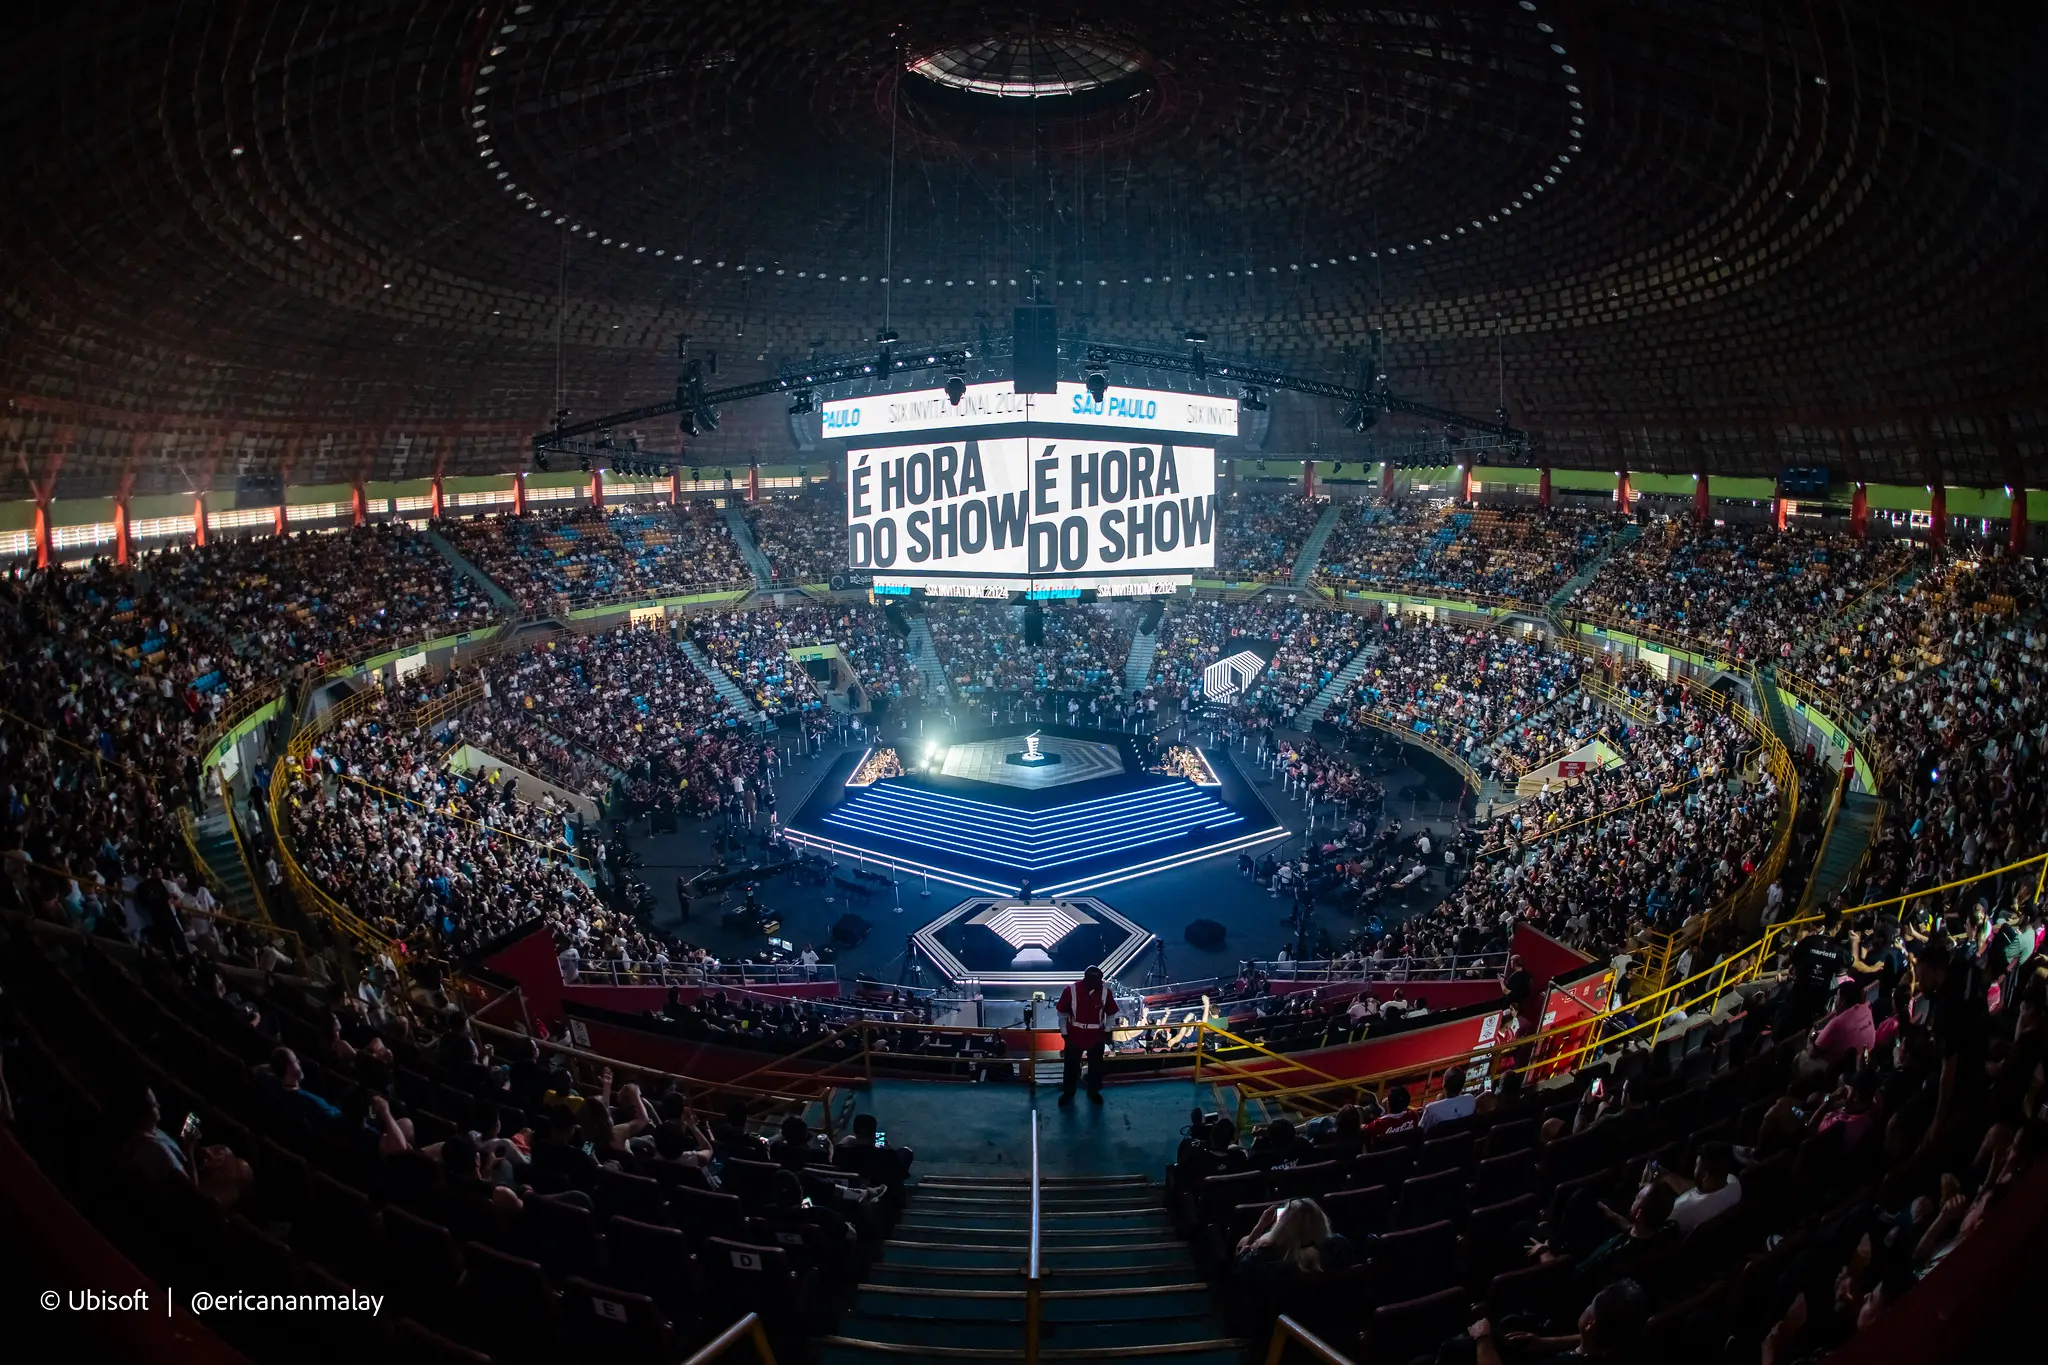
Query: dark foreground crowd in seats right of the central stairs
x=1762, y=1184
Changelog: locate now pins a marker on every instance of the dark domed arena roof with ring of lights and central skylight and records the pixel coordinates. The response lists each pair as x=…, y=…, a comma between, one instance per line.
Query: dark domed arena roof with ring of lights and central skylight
x=392, y=238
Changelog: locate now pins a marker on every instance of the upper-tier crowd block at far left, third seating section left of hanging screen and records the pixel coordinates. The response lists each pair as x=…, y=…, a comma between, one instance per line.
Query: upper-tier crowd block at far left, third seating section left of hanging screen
x=314, y=597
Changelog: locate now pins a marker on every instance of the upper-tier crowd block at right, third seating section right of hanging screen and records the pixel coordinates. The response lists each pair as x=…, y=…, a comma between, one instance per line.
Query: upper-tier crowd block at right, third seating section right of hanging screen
x=1750, y=592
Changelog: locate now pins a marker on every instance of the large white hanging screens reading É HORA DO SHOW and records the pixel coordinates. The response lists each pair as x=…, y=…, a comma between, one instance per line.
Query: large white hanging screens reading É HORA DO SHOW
x=1031, y=509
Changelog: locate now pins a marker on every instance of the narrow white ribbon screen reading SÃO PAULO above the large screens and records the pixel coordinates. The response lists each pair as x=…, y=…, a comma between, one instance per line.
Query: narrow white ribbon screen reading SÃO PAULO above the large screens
x=888, y=416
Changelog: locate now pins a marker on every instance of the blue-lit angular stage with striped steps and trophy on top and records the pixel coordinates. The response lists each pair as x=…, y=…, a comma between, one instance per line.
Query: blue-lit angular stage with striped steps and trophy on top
x=970, y=813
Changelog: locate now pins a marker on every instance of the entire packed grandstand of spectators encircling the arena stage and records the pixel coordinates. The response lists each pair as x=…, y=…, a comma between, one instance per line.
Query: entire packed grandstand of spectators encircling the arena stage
x=1770, y=1163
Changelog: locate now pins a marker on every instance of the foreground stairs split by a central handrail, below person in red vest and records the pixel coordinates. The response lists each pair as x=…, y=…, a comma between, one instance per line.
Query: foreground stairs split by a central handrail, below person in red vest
x=951, y=1280
